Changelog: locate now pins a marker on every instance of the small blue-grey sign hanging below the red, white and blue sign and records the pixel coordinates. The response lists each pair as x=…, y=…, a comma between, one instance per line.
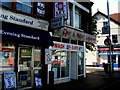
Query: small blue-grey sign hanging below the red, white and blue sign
x=57, y=22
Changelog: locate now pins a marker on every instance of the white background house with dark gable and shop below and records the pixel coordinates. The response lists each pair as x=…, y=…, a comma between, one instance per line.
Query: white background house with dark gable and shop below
x=103, y=54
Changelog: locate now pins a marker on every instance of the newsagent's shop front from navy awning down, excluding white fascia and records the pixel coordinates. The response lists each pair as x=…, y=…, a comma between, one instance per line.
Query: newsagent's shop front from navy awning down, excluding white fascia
x=22, y=52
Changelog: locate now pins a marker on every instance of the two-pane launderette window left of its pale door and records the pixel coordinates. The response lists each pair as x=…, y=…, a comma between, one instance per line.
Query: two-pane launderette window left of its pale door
x=60, y=63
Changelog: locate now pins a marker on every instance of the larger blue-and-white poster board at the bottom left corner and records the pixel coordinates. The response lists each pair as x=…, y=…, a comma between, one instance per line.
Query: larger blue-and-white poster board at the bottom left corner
x=9, y=80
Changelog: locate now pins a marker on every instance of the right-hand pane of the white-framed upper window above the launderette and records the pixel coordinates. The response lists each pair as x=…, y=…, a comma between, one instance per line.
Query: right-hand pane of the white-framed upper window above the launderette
x=77, y=18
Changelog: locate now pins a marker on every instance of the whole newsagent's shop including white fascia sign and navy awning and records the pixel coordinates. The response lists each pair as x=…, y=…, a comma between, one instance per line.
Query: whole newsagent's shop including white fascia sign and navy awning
x=23, y=43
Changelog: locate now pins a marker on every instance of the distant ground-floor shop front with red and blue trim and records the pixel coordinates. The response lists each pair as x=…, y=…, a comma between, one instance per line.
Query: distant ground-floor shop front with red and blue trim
x=104, y=56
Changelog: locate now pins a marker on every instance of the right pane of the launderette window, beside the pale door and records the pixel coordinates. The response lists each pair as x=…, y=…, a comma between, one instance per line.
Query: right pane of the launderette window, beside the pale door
x=64, y=64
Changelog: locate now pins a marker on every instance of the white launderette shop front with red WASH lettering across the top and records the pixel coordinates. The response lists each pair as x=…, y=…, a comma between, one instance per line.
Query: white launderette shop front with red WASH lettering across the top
x=67, y=61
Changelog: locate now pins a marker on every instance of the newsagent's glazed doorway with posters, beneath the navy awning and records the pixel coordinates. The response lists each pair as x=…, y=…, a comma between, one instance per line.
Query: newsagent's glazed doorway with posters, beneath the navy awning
x=29, y=64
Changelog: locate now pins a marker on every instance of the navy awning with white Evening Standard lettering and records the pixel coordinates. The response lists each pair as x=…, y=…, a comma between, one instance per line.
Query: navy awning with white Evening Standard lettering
x=25, y=35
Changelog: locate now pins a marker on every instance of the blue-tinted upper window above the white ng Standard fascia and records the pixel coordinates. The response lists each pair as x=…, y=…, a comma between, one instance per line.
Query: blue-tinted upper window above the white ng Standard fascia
x=24, y=6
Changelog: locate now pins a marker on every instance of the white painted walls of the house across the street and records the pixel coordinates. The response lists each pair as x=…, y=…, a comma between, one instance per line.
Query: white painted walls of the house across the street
x=92, y=56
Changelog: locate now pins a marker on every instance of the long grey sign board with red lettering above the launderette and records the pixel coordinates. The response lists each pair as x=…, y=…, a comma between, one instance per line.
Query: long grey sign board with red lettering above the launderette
x=74, y=34
